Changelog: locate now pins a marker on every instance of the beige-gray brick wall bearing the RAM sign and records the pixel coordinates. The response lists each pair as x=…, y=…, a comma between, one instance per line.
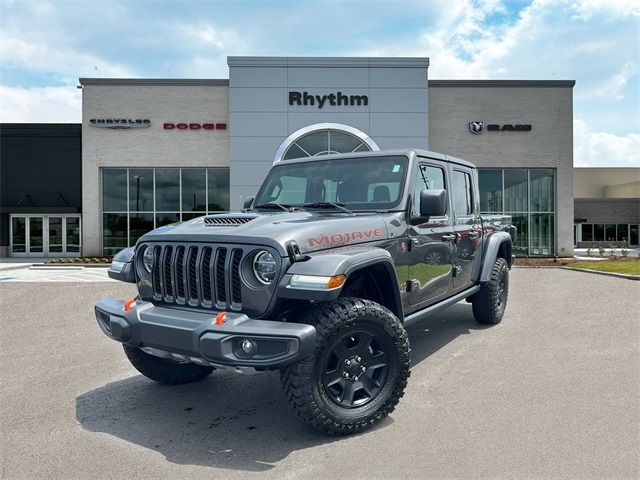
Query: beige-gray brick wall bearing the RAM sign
x=546, y=106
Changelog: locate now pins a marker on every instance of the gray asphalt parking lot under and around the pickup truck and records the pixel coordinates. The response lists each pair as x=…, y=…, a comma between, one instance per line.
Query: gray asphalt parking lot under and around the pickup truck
x=553, y=392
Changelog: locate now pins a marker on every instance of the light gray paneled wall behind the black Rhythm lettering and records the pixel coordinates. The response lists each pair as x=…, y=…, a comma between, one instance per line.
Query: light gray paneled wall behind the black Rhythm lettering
x=261, y=117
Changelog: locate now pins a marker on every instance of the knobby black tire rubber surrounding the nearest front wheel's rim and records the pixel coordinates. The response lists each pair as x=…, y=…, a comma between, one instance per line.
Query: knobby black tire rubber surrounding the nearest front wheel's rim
x=302, y=381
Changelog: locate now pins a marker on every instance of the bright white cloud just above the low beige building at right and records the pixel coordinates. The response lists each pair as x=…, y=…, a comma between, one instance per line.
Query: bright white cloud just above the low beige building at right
x=600, y=149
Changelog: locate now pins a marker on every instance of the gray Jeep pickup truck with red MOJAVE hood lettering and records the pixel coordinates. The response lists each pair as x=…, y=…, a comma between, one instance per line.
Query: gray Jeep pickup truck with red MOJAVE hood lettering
x=317, y=277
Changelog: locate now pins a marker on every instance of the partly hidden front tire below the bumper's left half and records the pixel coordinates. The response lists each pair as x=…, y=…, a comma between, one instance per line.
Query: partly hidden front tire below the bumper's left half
x=165, y=371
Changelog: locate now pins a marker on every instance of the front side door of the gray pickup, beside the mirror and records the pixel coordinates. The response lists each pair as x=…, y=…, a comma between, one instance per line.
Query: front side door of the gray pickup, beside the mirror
x=431, y=244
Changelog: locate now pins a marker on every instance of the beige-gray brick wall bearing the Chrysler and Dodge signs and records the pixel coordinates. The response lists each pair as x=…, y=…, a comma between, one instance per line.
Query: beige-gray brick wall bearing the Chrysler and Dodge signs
x=160, y=102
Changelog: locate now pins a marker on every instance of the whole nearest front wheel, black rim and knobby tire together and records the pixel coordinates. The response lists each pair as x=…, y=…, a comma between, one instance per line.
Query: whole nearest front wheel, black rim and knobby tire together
x=359, y=369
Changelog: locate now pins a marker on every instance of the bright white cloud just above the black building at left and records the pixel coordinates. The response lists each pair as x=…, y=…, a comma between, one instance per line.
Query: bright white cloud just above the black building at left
x=42, y=105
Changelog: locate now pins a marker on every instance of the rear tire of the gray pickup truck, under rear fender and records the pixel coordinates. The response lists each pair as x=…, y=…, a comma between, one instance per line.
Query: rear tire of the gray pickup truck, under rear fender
x=490, y=302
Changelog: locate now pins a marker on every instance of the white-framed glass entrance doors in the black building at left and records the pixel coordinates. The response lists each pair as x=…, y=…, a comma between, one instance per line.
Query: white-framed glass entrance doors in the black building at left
x=45, y=235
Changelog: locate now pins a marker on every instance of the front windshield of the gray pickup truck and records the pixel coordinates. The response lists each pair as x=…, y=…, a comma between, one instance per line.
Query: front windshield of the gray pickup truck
x=364, y=183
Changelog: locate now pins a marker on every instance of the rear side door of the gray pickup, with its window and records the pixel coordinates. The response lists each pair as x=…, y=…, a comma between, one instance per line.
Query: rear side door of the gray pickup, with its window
x=467, y=226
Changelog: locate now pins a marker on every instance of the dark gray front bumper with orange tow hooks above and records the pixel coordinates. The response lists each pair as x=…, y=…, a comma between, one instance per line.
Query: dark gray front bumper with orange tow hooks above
x=195, y=334
